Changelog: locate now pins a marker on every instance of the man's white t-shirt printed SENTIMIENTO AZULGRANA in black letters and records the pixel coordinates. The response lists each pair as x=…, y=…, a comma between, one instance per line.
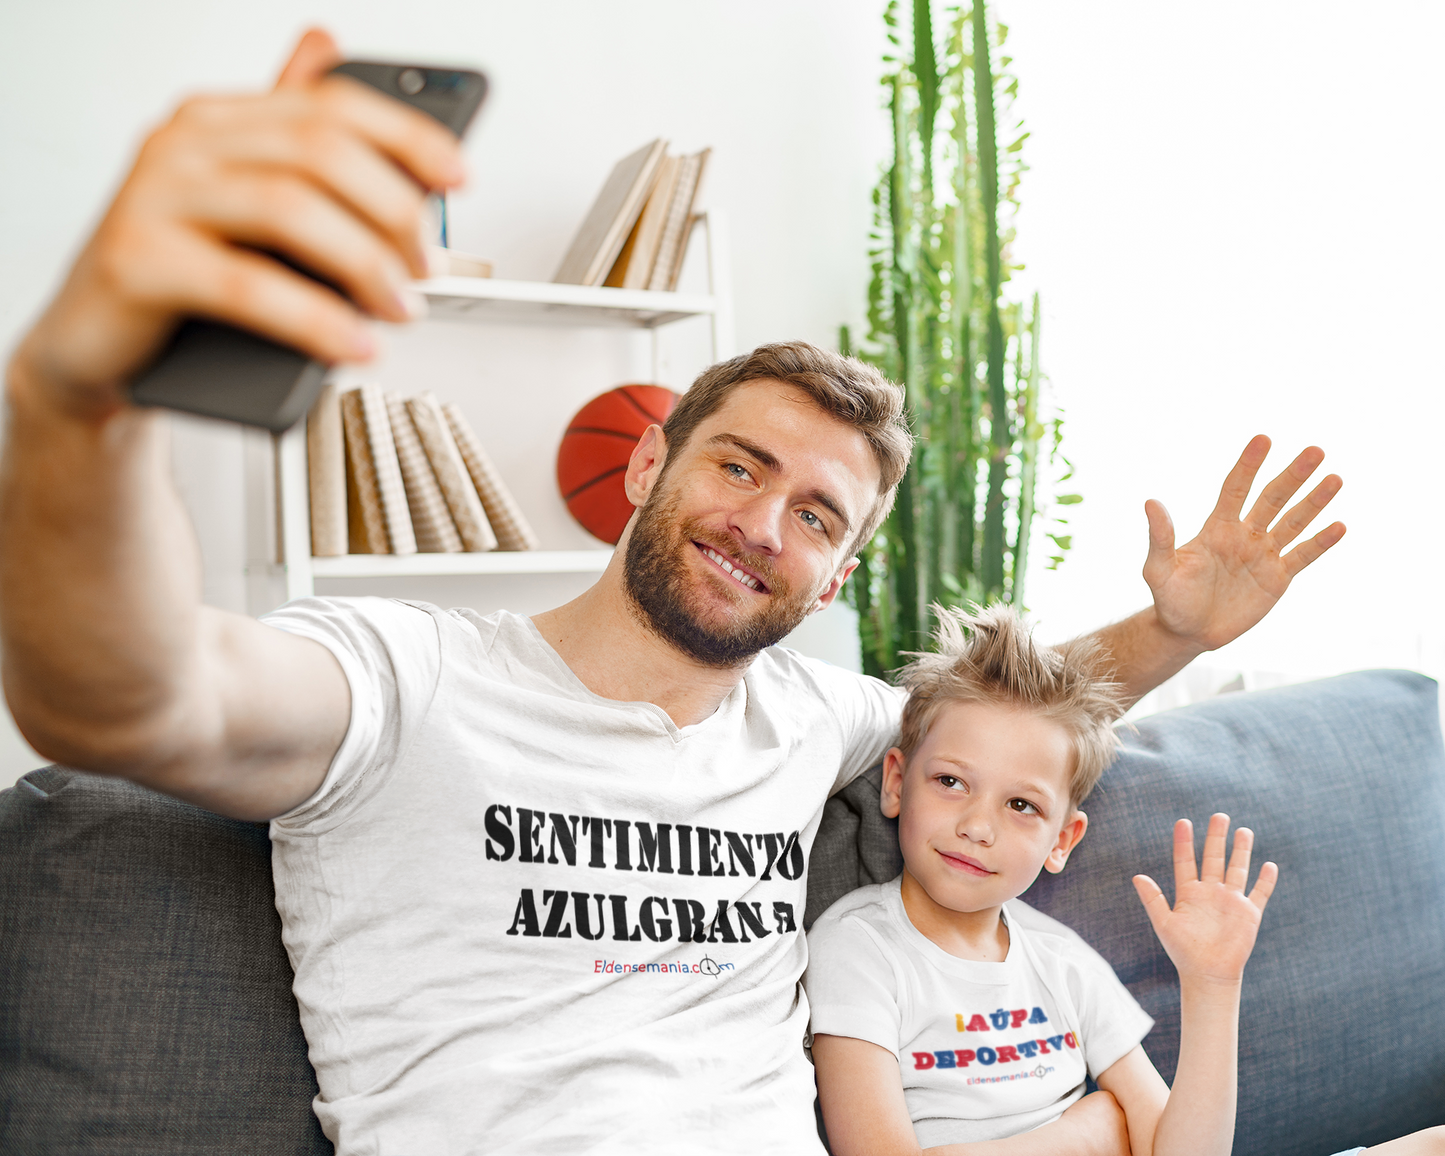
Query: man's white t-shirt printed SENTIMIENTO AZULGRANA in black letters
x=525, y=918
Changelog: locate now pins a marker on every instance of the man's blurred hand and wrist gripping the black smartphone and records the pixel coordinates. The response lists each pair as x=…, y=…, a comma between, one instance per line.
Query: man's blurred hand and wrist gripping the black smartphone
x=323, y=171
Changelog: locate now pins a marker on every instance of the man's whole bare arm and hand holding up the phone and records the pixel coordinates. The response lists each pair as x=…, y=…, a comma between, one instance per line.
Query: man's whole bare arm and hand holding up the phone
x=111, y=661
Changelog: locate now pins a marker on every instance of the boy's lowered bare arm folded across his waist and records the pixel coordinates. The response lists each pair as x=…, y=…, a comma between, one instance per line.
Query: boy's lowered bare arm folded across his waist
x=865, y=1113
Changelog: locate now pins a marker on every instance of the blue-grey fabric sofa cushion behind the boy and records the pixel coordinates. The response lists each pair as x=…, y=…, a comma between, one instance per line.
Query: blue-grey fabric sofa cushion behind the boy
x=1343, y=1021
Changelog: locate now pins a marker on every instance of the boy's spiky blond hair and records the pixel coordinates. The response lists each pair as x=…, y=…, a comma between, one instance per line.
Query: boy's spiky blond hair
x=991, y=657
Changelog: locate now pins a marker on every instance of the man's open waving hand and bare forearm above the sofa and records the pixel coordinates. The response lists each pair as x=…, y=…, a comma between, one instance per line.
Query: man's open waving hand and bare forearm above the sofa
x=1216, y=587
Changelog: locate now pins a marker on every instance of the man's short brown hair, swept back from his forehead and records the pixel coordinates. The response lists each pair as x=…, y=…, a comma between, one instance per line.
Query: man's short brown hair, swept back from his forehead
x=843, y=388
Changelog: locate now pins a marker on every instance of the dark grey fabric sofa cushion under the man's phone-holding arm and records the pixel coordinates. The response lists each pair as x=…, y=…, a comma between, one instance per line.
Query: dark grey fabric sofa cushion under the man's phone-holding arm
x=147, y=1004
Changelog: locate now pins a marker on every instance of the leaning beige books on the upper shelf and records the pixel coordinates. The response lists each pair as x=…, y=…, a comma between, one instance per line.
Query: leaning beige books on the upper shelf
x=637, y=233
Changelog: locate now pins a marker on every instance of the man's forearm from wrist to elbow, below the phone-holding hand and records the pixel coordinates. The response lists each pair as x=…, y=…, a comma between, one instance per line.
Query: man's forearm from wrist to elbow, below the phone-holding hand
x=100, y=579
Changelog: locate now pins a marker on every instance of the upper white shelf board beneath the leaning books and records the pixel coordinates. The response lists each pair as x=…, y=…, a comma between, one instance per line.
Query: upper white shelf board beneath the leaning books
x=544, y=303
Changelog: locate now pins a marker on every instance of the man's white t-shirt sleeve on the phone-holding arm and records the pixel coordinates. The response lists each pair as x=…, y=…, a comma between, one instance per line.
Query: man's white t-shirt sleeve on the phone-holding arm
x=391, y=655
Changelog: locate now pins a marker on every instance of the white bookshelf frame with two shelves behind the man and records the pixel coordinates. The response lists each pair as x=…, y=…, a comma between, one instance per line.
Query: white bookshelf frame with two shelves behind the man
x=502, y=303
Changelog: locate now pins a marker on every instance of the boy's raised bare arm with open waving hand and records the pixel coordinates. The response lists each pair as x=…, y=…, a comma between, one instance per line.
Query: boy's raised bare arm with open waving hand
x=1209, y=934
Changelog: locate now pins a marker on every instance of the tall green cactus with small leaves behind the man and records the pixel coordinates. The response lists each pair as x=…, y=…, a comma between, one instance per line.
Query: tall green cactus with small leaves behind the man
x=941, y=324
